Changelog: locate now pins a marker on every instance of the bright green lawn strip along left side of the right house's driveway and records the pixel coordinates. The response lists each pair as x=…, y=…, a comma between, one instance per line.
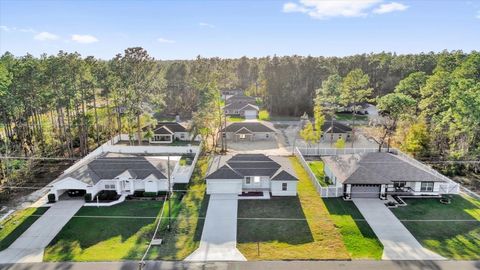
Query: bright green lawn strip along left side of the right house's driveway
x=359, y=238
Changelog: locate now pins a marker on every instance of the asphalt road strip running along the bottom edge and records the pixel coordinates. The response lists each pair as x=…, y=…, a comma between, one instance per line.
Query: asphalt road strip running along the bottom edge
x=271, y=265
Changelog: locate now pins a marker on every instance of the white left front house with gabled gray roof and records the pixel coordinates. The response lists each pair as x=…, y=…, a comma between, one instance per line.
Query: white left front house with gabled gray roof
x=121, y=173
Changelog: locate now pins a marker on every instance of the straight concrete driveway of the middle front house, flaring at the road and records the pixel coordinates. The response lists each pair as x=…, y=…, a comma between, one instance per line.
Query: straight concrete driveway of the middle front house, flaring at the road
x=219, y=235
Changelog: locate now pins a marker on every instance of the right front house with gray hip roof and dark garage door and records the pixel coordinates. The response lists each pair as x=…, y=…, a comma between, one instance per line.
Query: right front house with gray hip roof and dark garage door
x=376, y=175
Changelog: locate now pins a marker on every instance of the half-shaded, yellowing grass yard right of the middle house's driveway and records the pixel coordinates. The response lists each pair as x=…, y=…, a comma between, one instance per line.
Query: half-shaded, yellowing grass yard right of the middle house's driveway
x=310, y=235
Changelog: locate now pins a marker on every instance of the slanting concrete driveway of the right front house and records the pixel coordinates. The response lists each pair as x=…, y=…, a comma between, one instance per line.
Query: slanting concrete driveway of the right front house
x=398, y=242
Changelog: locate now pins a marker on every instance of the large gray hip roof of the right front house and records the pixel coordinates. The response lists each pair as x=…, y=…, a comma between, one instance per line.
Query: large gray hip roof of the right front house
x=376, y=168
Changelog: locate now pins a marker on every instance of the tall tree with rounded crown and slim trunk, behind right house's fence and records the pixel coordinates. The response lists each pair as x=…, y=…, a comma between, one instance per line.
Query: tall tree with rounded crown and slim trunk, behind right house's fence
x=355, y=90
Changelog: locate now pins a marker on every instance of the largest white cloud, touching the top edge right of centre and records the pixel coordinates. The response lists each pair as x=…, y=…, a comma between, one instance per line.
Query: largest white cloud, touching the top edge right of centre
x=325, y=9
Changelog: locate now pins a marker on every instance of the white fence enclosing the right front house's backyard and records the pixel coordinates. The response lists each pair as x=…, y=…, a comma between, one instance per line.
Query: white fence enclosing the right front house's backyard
x=450, y=186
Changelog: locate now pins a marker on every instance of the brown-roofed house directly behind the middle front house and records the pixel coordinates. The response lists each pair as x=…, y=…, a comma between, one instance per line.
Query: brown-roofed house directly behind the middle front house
x=248, y=131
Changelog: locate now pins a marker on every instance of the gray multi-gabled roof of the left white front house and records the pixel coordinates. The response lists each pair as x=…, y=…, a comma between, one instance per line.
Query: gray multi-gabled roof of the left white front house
x=111, y=165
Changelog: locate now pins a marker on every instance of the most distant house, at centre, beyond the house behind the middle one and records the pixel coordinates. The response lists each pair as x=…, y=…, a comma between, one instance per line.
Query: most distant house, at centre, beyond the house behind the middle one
x=241, y=106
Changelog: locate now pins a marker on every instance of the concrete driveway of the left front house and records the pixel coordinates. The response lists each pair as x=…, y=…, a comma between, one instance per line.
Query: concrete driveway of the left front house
x=30, y=245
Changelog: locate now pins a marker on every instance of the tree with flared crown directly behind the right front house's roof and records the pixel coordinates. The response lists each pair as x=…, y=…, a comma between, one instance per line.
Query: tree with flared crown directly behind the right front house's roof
x=392, y=107
